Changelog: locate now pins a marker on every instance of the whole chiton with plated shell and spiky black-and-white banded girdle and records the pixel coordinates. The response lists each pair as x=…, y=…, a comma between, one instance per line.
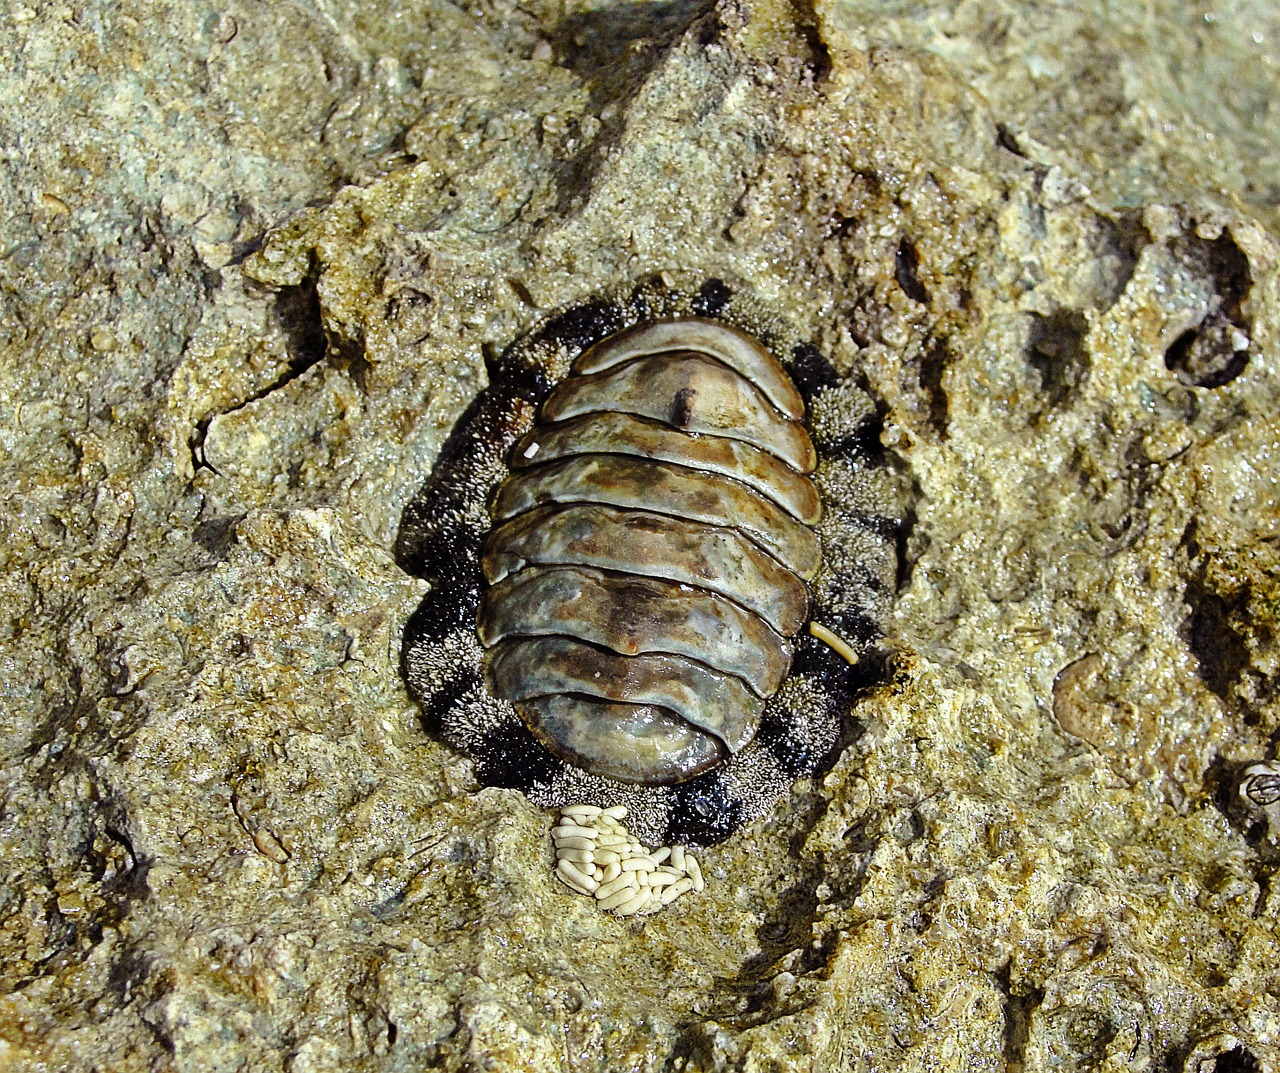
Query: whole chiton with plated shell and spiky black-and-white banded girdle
x=627, y=537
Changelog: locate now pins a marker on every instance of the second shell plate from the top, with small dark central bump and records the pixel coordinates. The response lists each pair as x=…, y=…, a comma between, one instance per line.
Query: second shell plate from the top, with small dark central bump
x=689, y=392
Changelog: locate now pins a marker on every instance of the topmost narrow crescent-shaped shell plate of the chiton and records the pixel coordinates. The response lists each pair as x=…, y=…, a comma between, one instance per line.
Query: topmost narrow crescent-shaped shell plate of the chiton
x=728, y=345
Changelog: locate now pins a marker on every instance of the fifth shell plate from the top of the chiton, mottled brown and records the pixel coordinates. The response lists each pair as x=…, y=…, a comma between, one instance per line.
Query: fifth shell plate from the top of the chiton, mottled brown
x=655, y=546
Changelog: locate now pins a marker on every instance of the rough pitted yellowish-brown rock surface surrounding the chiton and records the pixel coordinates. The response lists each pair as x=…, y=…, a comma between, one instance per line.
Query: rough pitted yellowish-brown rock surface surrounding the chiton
x=252, y=259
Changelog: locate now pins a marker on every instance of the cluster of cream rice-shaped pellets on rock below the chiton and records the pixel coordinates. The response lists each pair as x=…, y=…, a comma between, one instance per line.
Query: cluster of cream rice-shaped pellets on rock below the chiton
x=597, y=856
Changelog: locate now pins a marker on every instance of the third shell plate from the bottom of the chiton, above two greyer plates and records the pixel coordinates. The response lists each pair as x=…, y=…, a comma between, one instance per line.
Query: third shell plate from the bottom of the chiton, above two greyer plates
x=634, y=615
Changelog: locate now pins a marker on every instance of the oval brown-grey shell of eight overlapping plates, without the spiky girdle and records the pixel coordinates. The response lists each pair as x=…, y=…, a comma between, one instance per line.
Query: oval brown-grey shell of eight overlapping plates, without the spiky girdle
x=648, y=561
